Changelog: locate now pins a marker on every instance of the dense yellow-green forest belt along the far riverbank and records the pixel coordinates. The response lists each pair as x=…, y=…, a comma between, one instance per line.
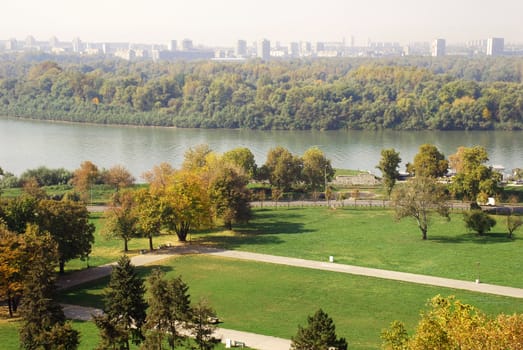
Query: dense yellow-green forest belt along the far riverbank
x=408, y=93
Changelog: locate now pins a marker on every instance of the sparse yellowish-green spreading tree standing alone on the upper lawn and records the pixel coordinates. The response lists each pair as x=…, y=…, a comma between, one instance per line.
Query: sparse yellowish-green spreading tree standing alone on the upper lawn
x=419, y=198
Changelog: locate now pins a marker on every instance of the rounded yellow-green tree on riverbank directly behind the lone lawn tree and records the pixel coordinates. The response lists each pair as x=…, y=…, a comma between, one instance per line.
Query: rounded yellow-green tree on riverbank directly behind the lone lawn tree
x=429, y=162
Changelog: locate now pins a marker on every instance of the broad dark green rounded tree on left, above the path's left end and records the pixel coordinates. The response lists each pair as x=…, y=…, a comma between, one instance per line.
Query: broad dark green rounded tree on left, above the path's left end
x=68, y=223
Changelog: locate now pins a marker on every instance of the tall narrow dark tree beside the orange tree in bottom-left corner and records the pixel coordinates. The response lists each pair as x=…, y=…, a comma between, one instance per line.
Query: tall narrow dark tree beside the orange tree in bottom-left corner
x=43, y=320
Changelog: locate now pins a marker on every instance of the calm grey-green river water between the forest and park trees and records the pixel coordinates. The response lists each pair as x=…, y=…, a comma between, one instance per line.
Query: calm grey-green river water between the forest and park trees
x=29, y=144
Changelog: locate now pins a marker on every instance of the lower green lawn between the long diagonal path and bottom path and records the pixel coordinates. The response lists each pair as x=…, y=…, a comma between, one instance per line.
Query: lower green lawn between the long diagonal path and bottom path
x=272, y=299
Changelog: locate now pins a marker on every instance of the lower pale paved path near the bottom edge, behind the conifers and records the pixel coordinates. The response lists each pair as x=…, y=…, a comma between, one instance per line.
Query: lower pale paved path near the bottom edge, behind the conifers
x=252, y=340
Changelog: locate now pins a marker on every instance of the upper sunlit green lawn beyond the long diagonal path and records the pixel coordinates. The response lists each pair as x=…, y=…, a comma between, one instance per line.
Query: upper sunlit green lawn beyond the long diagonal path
x=371, y=237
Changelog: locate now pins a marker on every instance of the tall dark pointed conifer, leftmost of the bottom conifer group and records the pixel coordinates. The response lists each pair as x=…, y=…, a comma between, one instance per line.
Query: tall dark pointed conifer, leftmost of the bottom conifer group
x=124, y=308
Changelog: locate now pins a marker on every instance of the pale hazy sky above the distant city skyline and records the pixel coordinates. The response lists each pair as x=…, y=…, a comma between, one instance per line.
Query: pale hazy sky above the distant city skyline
x=223, y=22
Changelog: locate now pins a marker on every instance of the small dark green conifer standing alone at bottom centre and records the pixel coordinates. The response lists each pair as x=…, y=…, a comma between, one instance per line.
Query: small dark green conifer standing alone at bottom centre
x=320, y=334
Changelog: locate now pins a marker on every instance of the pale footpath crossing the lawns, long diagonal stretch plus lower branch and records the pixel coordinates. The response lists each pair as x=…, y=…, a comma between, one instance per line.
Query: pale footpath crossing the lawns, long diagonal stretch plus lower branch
x=258, y=341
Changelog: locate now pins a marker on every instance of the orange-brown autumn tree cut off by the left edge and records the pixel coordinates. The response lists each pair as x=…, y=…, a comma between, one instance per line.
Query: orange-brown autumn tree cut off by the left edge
x=12, y=263
